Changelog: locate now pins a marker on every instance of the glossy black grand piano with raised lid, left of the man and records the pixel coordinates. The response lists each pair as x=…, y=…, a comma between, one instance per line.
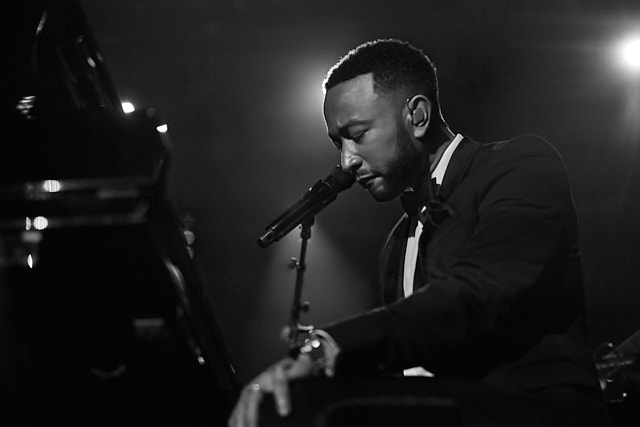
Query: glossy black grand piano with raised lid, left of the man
x=104, y=316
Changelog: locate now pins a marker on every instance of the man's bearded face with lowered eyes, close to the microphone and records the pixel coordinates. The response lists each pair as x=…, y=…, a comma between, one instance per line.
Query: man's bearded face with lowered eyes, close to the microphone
x=373, y=143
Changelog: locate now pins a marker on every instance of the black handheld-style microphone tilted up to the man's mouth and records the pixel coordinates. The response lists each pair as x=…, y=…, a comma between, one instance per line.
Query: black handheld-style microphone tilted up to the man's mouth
x=313, y=201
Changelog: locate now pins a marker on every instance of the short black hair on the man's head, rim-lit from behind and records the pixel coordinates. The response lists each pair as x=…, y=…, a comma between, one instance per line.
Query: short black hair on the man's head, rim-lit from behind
x=396, y=66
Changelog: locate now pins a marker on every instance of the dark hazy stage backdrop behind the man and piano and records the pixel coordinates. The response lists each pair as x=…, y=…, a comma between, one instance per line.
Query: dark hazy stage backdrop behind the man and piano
x=239, y=85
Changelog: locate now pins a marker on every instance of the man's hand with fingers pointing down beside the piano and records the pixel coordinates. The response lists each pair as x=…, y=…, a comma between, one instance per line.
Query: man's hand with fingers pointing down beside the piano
x=274, y=380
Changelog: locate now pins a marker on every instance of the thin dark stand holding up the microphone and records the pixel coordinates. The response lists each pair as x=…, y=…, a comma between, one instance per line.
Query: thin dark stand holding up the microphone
x=297, y=306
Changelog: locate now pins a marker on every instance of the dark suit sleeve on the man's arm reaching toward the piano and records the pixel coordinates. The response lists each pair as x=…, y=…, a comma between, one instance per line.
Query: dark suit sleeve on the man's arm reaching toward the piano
x=505, y=269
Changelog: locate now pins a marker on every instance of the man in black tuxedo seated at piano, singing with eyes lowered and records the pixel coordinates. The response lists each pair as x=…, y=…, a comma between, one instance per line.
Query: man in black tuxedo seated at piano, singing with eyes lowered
x=482, y=276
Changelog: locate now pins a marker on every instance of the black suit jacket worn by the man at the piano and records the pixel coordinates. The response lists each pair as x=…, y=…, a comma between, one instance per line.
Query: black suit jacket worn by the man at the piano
x=503, y=299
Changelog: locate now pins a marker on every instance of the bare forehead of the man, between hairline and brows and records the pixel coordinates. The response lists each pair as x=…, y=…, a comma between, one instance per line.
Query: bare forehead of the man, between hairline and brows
x=354, y=99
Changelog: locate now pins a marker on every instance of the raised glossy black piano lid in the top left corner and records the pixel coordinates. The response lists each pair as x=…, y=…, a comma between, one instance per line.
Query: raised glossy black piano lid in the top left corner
x=63, y=64
